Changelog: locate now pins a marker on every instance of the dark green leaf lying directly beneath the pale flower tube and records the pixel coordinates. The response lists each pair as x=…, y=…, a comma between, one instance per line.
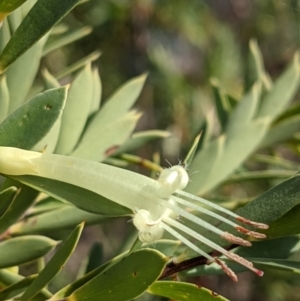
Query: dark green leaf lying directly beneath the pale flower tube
x=81, y=198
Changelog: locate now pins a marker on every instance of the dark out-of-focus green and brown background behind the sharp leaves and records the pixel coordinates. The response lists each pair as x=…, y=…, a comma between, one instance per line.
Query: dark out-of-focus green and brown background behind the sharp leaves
x=182, y=44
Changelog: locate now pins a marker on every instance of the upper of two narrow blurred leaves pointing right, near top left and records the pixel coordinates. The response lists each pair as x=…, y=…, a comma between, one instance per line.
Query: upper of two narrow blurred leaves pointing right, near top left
x=67, y=38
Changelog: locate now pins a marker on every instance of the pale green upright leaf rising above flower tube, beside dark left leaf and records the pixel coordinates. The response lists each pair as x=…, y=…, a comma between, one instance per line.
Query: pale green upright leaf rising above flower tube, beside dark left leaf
x=76, y=111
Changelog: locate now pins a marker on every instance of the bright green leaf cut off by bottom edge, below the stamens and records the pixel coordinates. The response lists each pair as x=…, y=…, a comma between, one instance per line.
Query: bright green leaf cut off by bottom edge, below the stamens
x=182, y=291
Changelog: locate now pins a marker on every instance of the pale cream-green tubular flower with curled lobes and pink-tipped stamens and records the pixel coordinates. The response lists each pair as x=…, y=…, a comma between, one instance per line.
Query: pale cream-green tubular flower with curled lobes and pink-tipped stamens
x=156, y=204
